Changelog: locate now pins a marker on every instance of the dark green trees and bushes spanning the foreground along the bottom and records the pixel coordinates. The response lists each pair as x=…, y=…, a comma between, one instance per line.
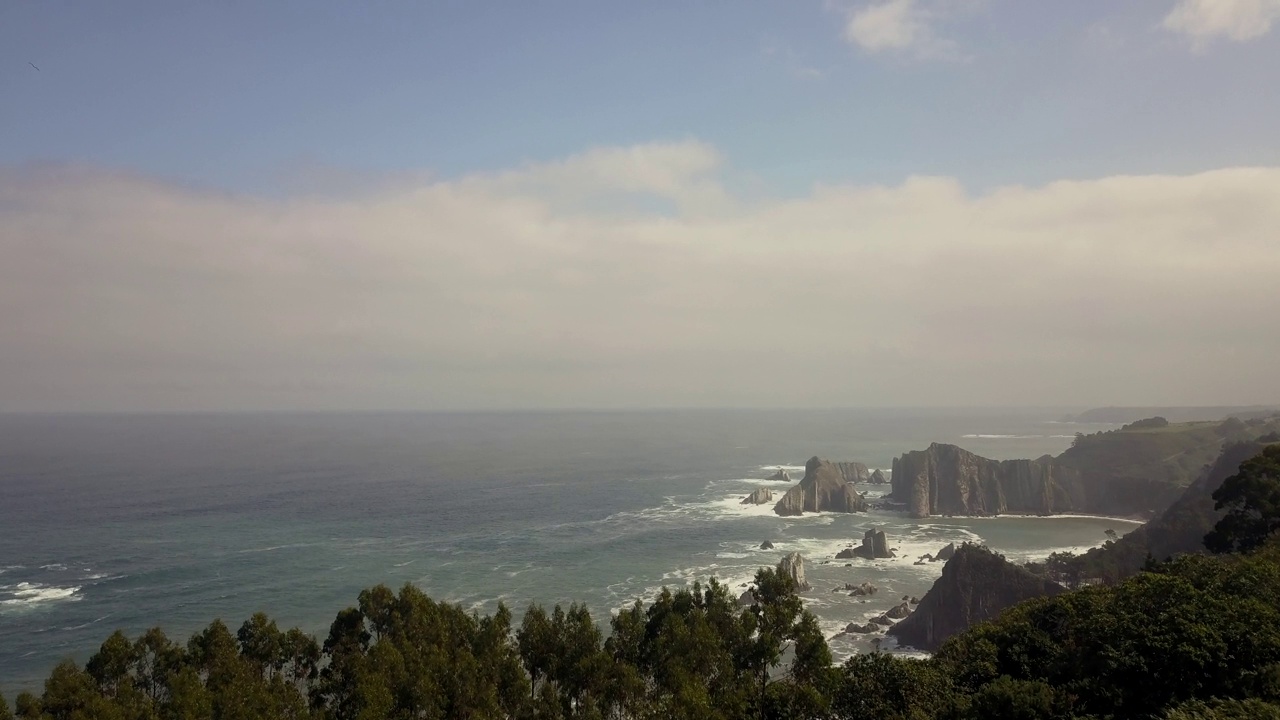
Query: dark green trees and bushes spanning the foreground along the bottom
x=1192, y=639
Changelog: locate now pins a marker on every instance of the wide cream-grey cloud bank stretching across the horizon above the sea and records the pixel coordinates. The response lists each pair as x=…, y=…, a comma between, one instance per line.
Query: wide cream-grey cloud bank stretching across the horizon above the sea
x=632, y=277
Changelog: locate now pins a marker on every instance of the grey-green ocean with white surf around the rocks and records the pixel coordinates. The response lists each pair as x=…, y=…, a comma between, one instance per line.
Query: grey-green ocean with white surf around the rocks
x=139, y=521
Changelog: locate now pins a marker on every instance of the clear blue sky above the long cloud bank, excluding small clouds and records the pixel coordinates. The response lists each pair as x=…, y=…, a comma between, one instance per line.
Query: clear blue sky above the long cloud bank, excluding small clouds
x=245, y=95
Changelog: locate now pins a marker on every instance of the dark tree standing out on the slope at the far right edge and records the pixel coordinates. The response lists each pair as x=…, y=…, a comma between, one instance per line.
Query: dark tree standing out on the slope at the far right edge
x=1252, y=502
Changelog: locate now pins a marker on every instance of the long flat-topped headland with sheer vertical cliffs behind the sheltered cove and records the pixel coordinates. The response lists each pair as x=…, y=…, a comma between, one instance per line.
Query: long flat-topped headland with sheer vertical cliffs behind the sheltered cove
x=947, y=480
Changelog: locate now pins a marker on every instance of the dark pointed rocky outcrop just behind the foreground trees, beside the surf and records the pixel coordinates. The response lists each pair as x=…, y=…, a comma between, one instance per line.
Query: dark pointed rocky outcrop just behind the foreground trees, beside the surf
x=976, y=585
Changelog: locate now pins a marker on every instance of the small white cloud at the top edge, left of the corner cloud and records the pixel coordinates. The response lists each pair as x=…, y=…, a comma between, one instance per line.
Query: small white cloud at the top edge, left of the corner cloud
x=898, y=26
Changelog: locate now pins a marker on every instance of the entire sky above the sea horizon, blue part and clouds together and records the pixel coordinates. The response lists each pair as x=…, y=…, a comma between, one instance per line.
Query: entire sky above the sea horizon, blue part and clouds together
x=468, y=206
